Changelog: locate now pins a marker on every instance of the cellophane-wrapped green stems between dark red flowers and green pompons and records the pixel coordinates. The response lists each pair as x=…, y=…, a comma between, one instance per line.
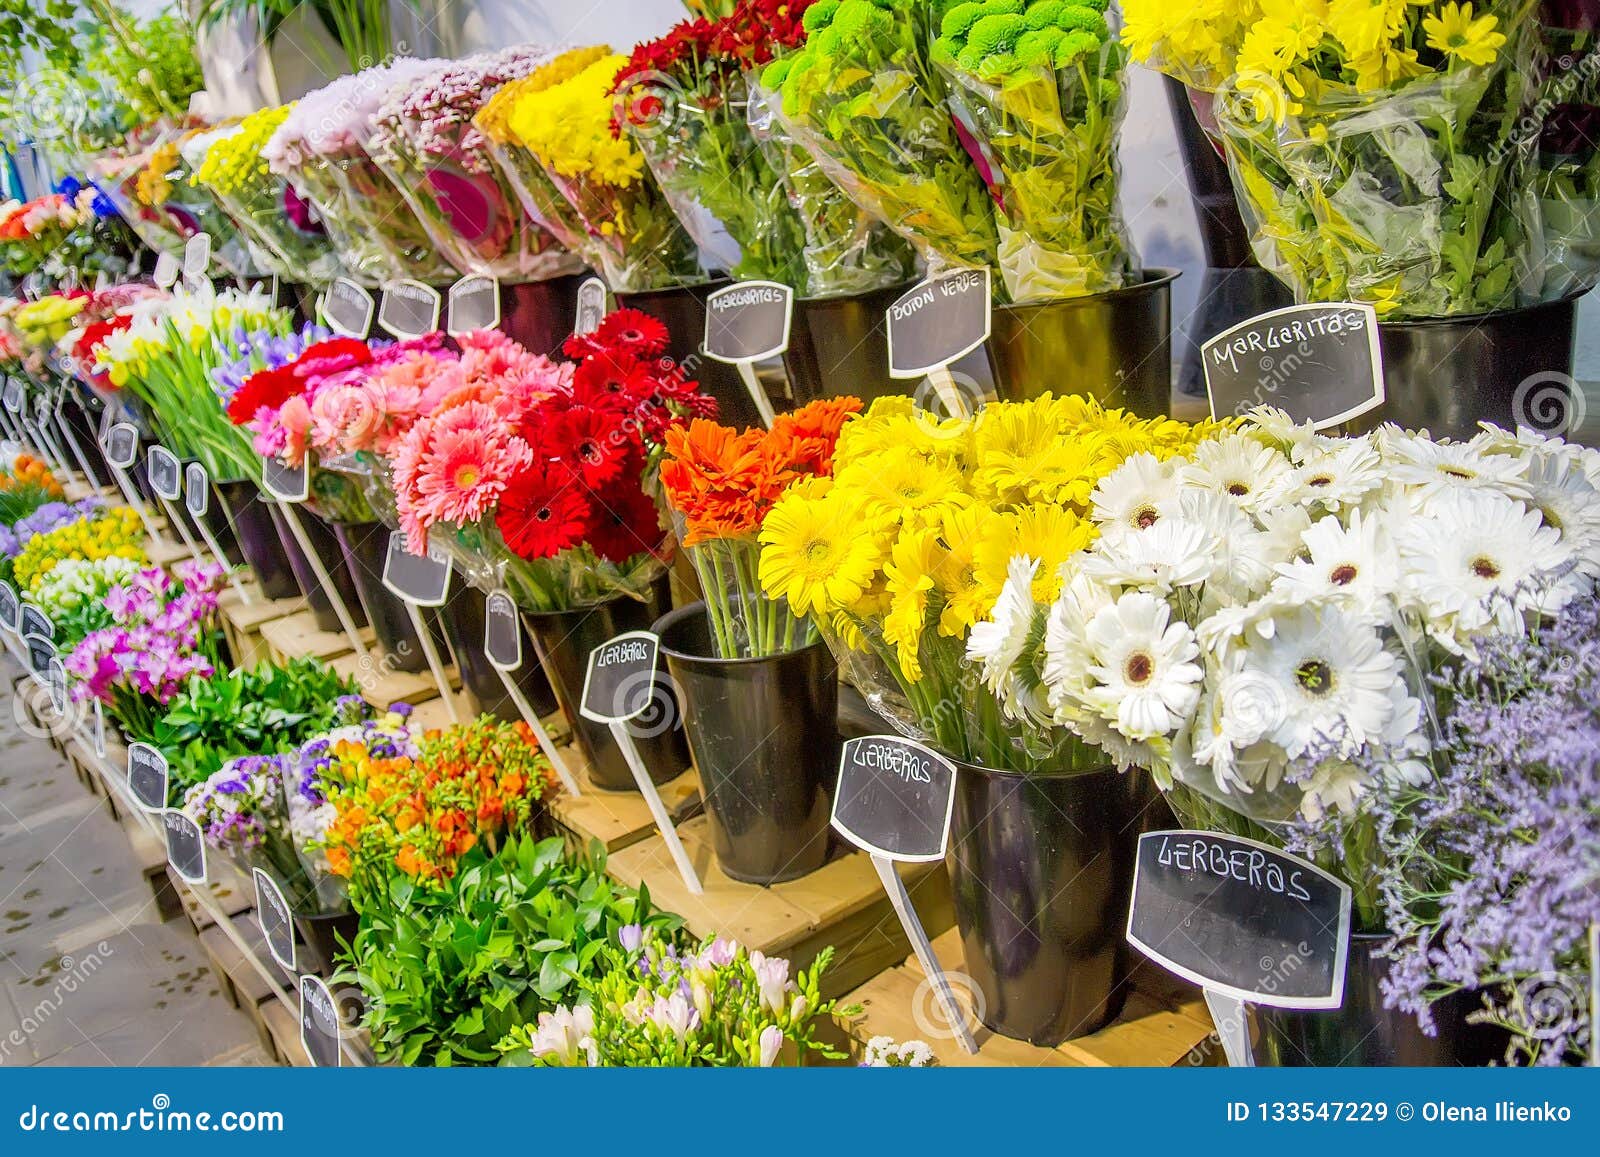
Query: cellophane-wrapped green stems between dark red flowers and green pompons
x=846, y=250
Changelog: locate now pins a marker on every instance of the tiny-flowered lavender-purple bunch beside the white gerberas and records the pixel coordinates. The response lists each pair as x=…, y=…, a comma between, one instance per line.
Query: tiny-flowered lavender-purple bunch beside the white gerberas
x=1494, y=871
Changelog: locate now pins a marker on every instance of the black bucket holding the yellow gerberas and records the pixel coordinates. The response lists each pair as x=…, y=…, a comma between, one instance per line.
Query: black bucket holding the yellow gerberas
x=1042, y=875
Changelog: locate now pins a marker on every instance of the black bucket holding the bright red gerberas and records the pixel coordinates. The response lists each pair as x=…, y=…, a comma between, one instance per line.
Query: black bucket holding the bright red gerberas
x=564, y=641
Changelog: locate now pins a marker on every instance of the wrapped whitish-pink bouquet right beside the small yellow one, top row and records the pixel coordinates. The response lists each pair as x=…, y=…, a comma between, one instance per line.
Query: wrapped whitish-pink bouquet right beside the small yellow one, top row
x=319, y=151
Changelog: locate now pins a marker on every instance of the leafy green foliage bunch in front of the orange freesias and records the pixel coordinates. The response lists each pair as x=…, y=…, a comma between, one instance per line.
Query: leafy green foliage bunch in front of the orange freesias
x=449, y=975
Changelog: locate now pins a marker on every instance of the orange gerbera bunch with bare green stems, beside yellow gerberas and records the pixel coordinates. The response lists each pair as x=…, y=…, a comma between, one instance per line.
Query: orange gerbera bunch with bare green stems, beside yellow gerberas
x=721, y=486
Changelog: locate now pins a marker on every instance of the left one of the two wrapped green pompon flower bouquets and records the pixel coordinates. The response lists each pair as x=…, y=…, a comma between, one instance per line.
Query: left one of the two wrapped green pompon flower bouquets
x=865, y=100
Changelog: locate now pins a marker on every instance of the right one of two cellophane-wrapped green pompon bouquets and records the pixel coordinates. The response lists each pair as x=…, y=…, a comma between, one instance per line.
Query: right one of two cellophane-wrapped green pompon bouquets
x=1039, y=98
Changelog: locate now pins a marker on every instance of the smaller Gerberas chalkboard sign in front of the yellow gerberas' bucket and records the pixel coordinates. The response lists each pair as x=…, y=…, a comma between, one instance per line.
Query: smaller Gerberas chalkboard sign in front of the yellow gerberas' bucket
x=895, y=798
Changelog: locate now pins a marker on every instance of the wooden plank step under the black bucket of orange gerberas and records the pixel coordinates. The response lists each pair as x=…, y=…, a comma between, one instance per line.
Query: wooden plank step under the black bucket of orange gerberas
x=841, y=907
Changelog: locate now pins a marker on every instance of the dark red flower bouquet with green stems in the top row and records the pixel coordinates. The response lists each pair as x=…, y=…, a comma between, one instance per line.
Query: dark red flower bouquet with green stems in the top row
x=684, y=102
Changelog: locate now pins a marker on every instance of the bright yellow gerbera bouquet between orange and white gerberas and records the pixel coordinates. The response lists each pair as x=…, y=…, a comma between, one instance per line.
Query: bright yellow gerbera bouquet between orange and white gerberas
x=906, y=550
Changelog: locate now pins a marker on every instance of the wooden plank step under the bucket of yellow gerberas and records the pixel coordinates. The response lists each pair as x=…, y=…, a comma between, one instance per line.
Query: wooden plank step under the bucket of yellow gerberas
x=1164, y=1022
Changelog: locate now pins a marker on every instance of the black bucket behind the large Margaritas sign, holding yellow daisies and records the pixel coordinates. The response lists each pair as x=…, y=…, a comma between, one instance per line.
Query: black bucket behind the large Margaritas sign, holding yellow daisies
x=1450, y=374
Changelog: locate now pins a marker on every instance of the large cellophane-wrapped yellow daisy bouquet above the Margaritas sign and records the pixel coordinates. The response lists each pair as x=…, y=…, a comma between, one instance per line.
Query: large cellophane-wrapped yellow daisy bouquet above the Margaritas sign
x=1378, y=148
